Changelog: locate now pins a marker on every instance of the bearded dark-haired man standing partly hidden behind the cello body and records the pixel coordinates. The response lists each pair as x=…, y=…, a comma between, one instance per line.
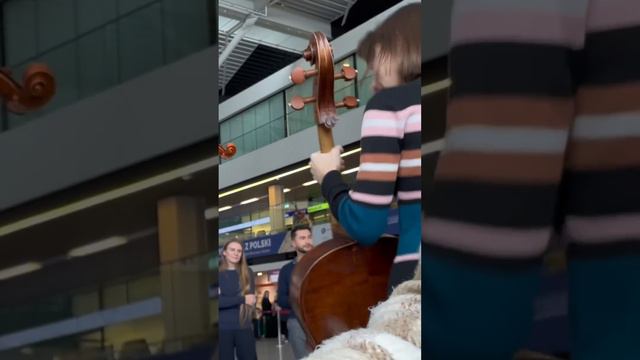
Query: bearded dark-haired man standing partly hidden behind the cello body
x=302, y=241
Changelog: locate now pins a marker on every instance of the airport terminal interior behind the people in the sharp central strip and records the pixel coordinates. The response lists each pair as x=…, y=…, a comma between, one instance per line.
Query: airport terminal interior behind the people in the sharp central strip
x=266, y=188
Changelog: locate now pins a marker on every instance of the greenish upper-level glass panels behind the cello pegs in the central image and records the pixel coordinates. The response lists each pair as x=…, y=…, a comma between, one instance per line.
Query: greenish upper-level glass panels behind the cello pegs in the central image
x=271, y=120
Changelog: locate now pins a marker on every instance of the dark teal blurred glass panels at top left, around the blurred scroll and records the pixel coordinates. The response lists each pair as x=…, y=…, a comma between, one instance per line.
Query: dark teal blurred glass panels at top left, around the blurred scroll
x=93, y=45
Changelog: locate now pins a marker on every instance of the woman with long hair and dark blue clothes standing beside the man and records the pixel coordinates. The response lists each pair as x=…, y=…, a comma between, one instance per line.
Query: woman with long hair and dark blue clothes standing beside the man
x=236, y=304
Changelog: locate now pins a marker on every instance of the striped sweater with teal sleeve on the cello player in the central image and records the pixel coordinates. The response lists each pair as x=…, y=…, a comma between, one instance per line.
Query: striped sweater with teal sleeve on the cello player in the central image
x=390, y=166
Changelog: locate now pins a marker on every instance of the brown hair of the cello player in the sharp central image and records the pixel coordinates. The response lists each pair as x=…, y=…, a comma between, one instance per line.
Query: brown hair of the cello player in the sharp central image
x=398, y=37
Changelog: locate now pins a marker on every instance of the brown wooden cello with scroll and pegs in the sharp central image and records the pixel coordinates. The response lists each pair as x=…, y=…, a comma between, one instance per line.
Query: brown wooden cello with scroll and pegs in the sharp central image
x=334, y=285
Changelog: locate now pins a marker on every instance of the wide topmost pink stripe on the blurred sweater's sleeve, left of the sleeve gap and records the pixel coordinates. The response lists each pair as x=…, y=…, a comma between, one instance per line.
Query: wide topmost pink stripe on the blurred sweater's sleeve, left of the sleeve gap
x=517, y=26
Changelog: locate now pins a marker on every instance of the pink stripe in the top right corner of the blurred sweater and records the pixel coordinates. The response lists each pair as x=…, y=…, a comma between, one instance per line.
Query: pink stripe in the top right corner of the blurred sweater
x=613, y=14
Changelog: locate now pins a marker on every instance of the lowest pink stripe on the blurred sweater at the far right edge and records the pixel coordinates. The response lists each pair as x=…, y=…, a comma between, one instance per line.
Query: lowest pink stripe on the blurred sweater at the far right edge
x=601, y=229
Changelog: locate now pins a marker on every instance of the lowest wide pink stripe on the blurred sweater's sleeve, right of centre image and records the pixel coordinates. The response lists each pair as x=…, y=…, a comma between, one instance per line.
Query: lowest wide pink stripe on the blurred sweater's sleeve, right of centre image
x=486, y=240
